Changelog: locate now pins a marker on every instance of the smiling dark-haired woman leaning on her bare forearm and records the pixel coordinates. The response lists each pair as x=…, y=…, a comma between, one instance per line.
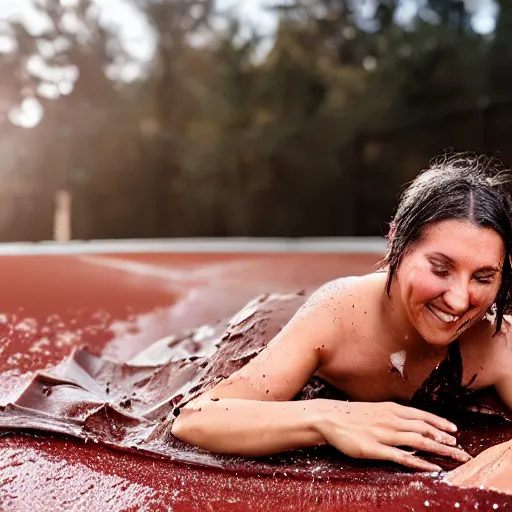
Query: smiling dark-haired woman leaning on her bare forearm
x=440, y=295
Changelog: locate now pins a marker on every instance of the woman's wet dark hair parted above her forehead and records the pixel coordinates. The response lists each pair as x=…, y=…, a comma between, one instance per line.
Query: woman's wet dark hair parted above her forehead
x=461, y=186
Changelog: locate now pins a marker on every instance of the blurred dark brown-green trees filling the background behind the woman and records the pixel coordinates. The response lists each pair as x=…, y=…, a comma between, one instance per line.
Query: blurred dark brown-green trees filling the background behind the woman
x=224, y=131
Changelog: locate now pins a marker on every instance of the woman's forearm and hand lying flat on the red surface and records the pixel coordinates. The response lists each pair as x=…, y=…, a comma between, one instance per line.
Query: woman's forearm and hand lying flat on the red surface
x=362, y=430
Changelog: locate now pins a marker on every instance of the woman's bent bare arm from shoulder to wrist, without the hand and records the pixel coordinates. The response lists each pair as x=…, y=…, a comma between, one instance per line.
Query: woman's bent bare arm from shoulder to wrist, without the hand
x=249, y=413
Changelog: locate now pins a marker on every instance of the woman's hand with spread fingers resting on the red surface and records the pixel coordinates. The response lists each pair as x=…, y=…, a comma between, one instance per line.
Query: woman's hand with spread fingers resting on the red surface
x=374, y=430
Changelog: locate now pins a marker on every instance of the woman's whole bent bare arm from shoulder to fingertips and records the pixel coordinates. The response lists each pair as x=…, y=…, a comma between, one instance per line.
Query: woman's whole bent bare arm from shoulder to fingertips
x=250, y=413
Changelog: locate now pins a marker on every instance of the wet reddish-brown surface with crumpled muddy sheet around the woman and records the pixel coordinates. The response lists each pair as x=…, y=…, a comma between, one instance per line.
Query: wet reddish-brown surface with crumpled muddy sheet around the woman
x=120, y=305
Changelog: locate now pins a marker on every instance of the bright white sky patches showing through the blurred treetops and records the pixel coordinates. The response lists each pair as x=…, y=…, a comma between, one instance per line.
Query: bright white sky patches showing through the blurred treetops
x=138, y=39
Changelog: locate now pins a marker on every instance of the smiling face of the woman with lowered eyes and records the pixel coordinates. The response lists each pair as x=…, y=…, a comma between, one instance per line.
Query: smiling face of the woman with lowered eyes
x=449, y=279
